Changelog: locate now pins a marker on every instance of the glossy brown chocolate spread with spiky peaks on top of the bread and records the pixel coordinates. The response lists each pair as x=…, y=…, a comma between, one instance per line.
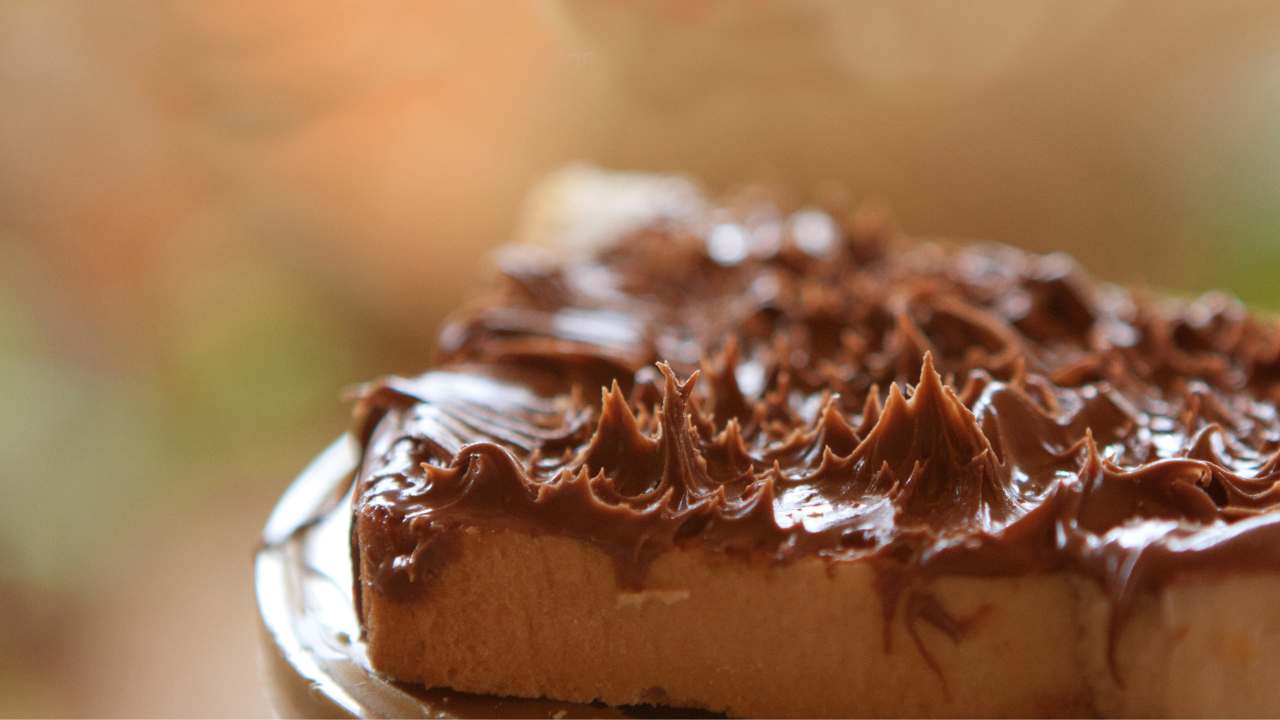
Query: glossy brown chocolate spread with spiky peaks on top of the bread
x=778, y=386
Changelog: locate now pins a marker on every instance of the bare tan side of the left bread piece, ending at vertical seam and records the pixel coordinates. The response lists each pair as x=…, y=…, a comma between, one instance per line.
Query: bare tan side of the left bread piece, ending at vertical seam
x=545, y=617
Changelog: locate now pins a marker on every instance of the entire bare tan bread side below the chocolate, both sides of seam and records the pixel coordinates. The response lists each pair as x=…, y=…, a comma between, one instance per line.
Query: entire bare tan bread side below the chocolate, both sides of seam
x=545, y=617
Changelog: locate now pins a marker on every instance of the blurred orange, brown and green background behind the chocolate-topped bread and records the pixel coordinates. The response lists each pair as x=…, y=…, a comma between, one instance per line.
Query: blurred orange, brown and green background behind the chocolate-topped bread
x=216, y=216
